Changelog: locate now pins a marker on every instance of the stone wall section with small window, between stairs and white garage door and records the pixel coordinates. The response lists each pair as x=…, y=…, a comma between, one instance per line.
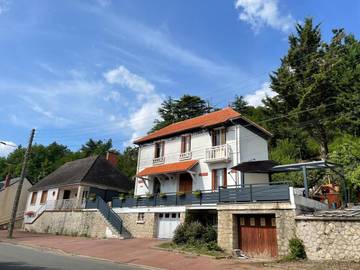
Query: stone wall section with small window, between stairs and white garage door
x=141, y=229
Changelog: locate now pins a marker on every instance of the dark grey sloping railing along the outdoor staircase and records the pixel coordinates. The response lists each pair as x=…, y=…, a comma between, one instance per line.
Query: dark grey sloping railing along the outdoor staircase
x=106, y=211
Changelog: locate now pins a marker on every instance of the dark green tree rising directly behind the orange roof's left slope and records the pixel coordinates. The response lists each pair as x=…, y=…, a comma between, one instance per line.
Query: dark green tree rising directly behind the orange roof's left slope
x=175, y=110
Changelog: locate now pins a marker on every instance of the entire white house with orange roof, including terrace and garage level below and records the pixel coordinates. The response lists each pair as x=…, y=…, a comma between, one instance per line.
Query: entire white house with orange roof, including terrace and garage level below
x=189, y=169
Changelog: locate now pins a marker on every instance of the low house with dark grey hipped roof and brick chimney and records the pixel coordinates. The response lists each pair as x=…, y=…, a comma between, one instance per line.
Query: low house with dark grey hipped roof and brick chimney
x=68, y=187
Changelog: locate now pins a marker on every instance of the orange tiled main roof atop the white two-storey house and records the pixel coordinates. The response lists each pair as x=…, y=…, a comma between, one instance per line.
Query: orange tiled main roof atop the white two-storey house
x=203, y=121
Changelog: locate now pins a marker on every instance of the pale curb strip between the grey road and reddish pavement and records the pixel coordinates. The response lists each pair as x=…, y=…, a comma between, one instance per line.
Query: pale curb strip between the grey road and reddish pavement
x=61, y=252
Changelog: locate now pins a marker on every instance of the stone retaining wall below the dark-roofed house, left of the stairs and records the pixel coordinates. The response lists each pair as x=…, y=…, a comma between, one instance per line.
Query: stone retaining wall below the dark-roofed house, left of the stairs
x=75, y=223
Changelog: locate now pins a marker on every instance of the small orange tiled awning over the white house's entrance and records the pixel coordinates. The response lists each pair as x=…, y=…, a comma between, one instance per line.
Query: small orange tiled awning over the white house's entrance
x=168, y=168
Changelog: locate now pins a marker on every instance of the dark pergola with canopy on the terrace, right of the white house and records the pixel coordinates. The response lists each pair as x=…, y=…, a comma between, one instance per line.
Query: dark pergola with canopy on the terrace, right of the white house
x=270, y=167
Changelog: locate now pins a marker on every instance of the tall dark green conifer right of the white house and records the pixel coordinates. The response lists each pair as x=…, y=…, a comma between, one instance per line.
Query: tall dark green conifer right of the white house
x=305, y=83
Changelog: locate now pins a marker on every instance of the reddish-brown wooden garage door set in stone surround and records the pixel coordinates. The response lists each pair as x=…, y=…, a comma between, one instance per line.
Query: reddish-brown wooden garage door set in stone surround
x=257, y=235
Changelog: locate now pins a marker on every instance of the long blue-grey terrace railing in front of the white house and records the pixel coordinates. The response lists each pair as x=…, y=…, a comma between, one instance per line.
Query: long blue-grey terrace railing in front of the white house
x=232, y=194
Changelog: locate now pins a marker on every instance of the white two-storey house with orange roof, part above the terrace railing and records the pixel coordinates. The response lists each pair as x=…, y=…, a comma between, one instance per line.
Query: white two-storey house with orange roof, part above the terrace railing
x=198, y=154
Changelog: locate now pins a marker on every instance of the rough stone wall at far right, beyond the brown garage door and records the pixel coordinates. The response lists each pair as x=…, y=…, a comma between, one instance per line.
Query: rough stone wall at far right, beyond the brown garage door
x=330, y=239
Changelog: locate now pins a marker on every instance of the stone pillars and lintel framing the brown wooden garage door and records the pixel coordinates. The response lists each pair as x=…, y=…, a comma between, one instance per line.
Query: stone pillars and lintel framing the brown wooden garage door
x=228, y=227
